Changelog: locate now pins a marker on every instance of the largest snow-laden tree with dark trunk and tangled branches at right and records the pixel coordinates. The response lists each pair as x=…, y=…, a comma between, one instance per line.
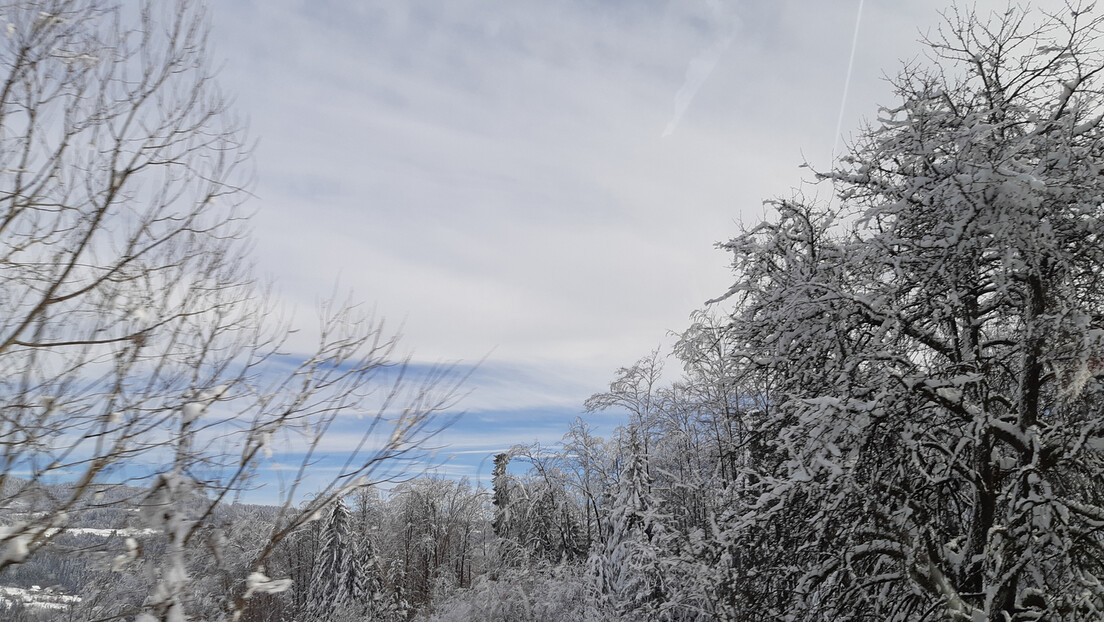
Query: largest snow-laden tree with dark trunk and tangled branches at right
x=933, y=341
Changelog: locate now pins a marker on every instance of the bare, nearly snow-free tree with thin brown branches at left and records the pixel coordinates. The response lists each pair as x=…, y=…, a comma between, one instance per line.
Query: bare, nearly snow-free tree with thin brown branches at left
x=135, y=343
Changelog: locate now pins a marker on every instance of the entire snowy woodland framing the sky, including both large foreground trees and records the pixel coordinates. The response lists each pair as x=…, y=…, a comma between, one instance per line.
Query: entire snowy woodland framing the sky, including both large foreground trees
x=894, y=414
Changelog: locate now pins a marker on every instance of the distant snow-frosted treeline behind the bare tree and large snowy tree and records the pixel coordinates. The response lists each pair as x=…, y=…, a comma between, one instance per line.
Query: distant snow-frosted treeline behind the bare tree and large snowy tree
x=630, y=526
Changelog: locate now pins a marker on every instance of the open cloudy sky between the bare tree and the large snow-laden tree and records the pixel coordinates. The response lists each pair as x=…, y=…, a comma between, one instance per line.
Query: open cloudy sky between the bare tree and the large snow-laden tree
x=538, y=187
